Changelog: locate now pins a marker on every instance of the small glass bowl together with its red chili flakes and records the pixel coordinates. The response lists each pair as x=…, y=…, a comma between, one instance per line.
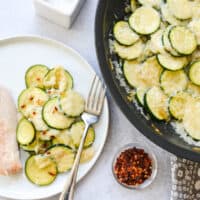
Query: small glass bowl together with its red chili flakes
x=133, y=167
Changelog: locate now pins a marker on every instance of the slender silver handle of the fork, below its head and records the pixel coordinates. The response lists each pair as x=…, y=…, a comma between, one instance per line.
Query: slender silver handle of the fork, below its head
x=68, y=191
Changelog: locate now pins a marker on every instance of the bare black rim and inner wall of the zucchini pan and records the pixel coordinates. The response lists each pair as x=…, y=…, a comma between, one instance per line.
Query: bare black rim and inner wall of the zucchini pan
x=107, y=11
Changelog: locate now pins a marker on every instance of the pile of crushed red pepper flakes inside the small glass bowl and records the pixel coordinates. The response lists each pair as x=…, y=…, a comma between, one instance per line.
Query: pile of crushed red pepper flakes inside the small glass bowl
x=133, y=167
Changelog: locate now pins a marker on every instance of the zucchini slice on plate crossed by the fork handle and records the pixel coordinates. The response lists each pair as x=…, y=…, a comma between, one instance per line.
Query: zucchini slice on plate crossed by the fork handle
x=76, y=132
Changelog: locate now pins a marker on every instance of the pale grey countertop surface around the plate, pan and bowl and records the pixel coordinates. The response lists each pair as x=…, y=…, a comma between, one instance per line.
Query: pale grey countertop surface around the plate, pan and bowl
x=17, y=17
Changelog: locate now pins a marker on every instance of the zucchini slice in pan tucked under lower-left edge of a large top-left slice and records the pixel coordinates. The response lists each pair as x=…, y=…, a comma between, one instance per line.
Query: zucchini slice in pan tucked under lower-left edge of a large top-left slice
x=124, y=34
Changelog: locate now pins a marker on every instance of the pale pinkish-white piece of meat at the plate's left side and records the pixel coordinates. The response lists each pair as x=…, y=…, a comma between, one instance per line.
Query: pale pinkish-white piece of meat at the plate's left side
x=9, y=152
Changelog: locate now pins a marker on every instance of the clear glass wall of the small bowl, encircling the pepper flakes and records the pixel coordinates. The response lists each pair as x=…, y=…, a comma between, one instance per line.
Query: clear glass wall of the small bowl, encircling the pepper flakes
x=151, y=155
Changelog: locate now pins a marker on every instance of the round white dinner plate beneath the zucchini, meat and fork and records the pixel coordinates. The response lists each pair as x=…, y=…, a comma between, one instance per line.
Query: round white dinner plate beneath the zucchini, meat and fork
x=16, y=55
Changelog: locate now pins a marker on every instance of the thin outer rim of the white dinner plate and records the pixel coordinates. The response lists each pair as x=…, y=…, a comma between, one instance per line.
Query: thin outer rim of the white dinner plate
x=106, y=104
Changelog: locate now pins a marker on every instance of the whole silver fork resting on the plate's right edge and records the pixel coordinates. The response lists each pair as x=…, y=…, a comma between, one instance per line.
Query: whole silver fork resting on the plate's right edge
x=91, y=115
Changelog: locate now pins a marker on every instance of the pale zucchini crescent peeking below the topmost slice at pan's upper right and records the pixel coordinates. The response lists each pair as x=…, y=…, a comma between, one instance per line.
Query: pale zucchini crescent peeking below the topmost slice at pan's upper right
x=168, y=17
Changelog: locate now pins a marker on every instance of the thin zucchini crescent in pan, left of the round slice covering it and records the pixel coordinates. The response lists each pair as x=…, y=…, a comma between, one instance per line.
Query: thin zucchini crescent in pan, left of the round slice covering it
x=166, y=42
